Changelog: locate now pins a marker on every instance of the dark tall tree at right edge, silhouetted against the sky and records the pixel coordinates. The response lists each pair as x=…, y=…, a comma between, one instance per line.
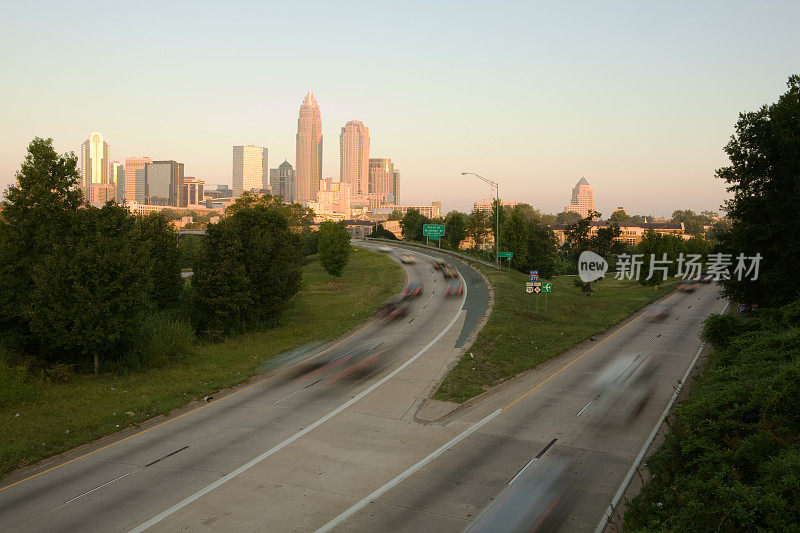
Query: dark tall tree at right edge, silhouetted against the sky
x=764, y=179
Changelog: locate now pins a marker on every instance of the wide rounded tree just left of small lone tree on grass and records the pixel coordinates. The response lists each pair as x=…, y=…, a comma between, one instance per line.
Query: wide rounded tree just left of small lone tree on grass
x=248, y=270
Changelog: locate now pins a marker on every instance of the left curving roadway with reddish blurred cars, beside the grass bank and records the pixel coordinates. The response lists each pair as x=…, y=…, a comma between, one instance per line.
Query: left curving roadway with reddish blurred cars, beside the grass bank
x=350, y=409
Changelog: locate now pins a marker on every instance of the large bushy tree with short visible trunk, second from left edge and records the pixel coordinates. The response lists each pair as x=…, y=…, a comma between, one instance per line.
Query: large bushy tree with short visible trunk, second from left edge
x=90, y=293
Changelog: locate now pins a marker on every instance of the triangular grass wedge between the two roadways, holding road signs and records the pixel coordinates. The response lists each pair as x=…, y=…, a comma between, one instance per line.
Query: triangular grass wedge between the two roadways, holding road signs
x=515, y=339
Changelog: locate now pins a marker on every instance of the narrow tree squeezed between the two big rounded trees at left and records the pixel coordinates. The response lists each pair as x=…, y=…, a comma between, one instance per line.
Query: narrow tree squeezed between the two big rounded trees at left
x=161, y=243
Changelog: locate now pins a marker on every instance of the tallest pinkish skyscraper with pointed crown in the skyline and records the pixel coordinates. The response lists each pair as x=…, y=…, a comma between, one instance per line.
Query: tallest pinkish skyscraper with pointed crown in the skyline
x=309, y=150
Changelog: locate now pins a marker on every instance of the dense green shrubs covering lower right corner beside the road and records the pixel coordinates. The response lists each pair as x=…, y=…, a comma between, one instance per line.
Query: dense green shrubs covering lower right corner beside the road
x=731, y=461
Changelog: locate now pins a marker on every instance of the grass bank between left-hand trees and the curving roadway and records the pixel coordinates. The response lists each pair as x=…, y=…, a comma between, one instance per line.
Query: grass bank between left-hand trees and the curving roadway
x=43, y=417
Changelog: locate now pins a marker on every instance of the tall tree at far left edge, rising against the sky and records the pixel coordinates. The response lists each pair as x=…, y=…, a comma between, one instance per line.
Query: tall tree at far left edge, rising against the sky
x=35, y=215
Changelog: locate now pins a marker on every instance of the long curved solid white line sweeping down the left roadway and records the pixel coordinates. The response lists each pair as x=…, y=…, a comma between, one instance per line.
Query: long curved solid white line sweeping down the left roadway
x=180, y=505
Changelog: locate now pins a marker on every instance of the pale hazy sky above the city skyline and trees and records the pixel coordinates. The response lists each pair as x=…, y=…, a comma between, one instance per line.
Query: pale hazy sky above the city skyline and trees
x=638, y=97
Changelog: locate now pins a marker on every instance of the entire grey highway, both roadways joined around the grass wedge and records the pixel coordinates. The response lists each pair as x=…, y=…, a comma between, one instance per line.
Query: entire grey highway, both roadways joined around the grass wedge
x=547, y=450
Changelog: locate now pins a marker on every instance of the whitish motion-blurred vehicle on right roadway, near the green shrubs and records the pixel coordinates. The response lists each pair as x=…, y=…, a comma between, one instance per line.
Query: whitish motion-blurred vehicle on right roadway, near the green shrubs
x=624, y=386
